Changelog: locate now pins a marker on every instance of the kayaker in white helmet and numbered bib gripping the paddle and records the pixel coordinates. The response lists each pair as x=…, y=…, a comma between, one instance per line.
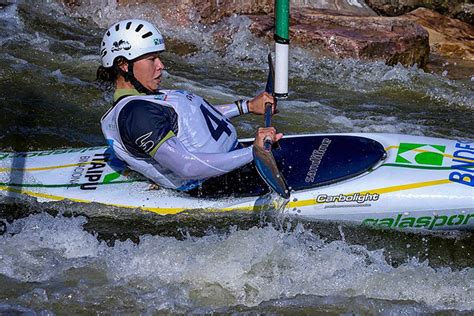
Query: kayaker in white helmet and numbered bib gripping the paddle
x=173, y=137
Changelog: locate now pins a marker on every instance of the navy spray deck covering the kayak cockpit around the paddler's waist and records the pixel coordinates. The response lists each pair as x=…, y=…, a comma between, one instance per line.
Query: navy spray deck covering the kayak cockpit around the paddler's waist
x=305, y=162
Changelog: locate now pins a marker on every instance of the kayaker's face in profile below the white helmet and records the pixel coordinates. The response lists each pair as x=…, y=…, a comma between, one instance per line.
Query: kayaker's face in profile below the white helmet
x=147, y=70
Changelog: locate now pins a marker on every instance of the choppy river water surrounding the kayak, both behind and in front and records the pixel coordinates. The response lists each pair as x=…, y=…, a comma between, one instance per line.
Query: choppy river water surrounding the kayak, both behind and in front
x=52, y=263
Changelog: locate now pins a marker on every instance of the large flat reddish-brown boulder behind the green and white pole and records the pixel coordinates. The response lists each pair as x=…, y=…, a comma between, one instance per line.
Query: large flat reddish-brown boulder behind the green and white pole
x=393, y=40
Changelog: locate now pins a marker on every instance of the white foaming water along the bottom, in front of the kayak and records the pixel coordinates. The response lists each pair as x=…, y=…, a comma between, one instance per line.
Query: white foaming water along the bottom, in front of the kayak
x=244, y=267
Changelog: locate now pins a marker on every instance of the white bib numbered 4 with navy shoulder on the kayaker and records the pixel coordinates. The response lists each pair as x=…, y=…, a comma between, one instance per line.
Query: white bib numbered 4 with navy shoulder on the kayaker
x=136, y=126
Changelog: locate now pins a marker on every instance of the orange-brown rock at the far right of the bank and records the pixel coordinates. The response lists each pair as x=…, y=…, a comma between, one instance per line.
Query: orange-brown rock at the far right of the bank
x=448, y=37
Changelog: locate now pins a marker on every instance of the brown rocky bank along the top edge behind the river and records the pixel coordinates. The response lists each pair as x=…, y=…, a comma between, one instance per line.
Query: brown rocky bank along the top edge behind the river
x=342, y=28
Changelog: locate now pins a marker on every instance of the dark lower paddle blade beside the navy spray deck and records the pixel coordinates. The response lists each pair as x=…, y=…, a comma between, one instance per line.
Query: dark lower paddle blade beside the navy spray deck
x=268, y=170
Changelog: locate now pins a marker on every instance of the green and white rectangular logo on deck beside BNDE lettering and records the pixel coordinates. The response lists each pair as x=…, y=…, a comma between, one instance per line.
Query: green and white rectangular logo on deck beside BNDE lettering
x=420, y=154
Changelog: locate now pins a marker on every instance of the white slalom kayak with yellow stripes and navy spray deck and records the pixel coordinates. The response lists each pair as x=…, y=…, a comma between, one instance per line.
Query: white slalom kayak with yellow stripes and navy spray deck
x=382, y=180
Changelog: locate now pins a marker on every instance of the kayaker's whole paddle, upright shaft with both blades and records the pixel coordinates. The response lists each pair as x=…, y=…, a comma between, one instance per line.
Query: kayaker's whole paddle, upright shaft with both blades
x=263, y=157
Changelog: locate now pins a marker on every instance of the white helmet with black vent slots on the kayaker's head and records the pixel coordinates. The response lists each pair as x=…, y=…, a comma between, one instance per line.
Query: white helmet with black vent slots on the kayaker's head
x=130, y=39
